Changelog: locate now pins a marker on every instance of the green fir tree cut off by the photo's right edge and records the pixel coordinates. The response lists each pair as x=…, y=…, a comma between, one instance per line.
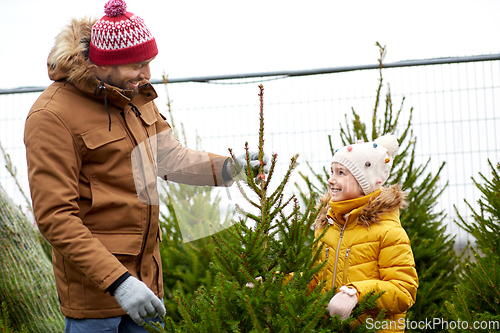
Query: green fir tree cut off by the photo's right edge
x=477, y=297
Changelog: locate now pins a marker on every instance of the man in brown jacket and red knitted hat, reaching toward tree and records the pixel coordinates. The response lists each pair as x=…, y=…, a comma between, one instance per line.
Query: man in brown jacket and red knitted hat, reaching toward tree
x=93, y=139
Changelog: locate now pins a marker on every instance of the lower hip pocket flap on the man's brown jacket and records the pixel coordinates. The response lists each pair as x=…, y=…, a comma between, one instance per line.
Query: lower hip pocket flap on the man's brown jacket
x=121, y=244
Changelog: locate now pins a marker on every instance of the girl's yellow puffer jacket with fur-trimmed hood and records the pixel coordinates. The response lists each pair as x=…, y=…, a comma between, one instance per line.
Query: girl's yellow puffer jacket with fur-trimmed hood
x=366, y=248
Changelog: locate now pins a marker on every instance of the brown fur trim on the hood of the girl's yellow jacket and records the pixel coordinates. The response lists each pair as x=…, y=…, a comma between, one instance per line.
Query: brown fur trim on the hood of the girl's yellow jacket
x=389, y=199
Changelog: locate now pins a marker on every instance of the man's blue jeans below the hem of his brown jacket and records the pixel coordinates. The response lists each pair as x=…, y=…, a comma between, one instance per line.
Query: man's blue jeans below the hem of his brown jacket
x=123, y=324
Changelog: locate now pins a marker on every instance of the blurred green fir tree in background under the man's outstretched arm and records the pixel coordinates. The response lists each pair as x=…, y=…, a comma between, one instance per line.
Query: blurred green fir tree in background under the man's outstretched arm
x=186, y=264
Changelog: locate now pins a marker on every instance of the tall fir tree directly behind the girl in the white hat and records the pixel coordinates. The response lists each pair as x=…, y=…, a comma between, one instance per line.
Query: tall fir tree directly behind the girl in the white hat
x=432, y=247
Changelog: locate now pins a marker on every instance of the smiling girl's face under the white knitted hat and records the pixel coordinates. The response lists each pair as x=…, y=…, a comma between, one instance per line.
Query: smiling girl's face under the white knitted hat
x=343, y=185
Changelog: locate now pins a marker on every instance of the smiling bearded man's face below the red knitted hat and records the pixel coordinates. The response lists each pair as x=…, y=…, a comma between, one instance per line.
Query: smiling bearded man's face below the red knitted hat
x=126, y=77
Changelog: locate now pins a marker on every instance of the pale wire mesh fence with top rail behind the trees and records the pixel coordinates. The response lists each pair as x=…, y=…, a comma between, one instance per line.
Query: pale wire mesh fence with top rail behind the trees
x=456, y=117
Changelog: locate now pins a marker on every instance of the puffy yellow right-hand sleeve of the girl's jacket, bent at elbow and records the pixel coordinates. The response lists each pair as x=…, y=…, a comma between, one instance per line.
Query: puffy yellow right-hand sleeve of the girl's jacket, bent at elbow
x=398, y=276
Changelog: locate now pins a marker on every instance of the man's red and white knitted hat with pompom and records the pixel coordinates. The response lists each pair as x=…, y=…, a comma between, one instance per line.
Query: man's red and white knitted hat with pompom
x=120, y=37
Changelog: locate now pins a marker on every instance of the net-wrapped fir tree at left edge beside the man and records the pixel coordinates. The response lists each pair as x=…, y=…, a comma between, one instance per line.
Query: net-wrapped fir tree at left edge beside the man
x=27, y=284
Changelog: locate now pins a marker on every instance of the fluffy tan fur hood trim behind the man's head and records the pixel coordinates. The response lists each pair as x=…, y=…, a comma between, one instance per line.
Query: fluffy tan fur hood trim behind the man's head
x=68, y=59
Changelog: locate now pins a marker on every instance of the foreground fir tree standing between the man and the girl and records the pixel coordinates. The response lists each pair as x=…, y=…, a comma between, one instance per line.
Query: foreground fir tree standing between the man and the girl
x=261, y=280
